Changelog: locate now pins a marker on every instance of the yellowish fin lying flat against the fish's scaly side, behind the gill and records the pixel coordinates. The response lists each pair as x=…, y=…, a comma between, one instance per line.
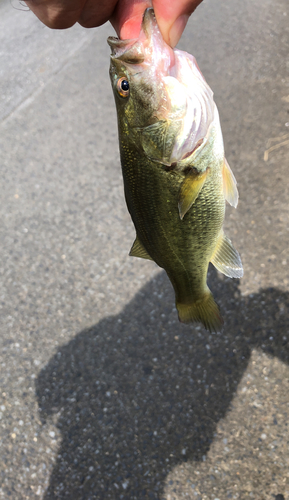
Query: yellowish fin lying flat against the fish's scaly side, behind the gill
x=190, y=190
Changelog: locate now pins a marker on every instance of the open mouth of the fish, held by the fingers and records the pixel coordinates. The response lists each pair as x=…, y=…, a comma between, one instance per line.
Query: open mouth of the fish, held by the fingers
x=132, y=51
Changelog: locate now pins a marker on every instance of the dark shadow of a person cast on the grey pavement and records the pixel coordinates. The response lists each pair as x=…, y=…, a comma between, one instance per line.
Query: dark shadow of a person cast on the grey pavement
x=139, y=393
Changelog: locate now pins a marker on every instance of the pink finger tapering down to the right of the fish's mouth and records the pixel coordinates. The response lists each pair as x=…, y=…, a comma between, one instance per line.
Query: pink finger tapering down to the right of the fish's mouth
x=173, y=16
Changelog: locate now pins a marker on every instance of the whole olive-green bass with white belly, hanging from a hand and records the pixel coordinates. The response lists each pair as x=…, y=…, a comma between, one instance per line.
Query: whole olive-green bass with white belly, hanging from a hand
x=176, y=177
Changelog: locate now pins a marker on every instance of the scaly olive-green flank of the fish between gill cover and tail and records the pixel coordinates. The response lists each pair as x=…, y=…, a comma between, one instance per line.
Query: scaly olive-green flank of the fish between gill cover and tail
x=179, y=249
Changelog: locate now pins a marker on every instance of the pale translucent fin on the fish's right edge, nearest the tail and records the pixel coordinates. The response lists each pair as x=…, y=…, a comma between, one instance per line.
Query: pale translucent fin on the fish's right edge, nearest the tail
x=226, y=259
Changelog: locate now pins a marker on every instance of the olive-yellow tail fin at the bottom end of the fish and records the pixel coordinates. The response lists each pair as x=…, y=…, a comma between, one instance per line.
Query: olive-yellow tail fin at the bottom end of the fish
x=204, y=310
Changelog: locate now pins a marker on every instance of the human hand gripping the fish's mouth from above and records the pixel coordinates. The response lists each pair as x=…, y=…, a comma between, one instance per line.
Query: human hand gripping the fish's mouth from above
x=125, y=15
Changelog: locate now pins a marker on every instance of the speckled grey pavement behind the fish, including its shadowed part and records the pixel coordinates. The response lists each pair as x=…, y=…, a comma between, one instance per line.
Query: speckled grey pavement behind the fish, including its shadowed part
x=104, y=395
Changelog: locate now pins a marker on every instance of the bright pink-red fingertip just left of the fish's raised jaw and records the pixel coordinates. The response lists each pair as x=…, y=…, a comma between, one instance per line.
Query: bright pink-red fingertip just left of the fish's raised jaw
x=127, y=17
